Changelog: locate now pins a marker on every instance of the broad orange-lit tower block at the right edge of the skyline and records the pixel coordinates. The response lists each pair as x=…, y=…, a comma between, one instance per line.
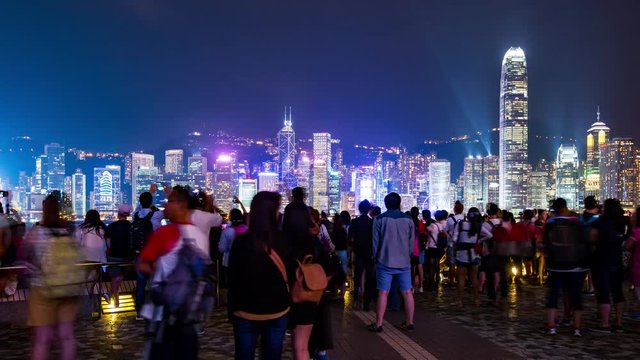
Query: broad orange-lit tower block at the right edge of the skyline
x=619, y=173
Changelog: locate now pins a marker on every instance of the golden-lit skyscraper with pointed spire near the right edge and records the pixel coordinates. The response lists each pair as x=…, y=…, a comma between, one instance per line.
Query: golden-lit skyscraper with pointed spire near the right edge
x=596, y=140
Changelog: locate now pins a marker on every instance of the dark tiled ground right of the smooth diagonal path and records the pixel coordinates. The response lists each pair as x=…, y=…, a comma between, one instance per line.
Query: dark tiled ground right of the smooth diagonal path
x=515, y=326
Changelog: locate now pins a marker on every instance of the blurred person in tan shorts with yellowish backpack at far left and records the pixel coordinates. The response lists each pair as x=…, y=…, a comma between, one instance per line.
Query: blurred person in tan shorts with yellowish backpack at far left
x=56, y=282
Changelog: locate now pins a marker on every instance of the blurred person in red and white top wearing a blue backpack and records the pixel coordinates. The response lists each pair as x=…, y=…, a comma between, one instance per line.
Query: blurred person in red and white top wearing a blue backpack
x=181, y=287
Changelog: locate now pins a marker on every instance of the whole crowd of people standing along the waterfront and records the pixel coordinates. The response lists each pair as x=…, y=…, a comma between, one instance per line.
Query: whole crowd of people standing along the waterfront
x=282, y=271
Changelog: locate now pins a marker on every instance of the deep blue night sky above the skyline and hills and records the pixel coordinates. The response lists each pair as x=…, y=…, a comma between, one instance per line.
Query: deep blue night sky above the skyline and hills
x=108, y=75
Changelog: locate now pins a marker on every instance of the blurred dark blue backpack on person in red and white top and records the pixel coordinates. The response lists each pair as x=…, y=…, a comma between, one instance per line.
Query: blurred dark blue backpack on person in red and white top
x=187, y=292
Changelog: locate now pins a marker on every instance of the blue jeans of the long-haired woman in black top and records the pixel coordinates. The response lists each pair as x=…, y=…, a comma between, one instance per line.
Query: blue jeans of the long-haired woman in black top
x=271, y=332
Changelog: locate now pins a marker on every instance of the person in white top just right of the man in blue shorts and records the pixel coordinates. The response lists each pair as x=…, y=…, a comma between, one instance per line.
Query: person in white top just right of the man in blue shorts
x=437, y=243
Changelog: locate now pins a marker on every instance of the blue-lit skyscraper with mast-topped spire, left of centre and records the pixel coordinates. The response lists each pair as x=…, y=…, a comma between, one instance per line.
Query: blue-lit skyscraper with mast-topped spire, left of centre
x=287, y=153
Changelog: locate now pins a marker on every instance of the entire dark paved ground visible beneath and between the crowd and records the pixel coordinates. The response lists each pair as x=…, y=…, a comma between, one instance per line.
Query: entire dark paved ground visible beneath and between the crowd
x=443, y=331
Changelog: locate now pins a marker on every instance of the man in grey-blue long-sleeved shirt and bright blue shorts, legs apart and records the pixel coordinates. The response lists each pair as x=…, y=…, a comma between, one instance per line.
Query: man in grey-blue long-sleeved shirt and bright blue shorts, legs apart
x=393, y=245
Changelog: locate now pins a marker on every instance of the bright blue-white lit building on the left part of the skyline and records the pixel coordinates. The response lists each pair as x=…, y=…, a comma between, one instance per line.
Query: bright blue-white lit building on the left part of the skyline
x=106, y=190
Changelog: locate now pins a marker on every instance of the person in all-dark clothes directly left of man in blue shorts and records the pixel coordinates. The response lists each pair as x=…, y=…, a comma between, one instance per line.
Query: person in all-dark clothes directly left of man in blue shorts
x=361, y=240
